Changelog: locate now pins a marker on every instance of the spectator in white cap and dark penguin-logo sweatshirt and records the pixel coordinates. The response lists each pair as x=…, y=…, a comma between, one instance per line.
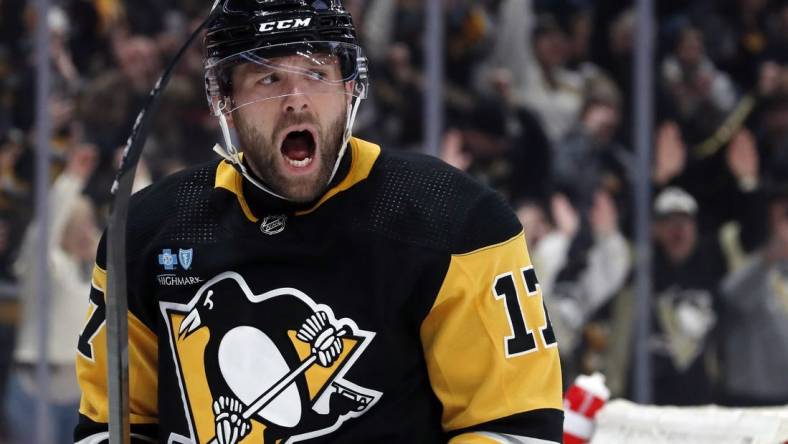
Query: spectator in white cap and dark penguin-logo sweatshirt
x=687, y=272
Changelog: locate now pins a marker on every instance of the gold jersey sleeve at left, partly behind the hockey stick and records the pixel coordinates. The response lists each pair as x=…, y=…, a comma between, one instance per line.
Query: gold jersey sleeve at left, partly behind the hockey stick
x=91, y=368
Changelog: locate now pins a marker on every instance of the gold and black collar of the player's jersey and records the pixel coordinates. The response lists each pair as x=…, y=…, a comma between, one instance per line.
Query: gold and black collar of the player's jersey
x=362, y=157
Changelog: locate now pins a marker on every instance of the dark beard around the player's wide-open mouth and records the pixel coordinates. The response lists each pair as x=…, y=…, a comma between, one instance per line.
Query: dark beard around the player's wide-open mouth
x=262, y=155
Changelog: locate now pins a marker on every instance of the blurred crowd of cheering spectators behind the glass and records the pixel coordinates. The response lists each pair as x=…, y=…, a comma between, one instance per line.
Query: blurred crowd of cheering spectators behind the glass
x=538, y=99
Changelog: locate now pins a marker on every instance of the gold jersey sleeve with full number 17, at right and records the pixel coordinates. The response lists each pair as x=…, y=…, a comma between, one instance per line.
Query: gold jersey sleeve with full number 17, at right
x=490, y=350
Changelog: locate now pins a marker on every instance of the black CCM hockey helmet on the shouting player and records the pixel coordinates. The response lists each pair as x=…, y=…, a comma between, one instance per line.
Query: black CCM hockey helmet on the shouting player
x=261, y=31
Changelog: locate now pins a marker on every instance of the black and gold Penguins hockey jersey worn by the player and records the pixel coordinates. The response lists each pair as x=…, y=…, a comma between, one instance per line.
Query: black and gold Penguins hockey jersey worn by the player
x=421, y=273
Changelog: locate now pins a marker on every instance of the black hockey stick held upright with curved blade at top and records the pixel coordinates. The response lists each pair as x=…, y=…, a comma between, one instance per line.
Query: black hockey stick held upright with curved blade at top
x=117, y=302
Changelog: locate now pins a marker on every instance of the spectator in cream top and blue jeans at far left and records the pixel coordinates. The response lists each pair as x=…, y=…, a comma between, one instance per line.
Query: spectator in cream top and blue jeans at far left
x=72, y=243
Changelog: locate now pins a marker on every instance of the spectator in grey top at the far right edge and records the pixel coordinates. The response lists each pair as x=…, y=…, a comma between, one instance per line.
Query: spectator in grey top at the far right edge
x=755, y=340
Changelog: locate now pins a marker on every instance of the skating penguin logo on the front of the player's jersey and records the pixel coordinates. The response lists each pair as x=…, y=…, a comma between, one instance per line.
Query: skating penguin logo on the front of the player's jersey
x=263, y=367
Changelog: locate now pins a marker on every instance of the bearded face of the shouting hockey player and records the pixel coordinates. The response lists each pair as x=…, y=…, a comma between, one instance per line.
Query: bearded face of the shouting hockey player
x=291, y=139
